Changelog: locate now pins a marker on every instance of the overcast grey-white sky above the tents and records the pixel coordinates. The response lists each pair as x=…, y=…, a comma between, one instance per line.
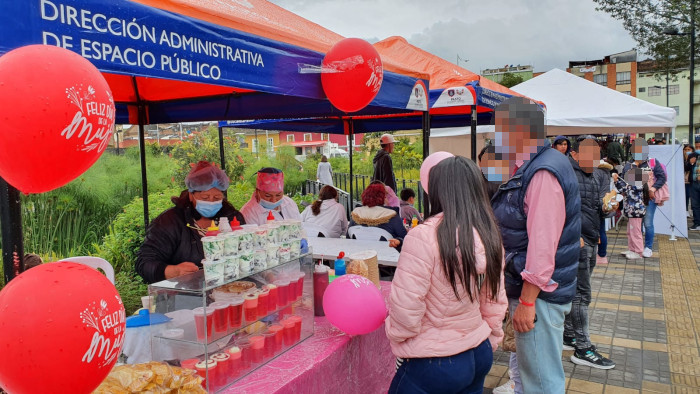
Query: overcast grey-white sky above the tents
x=489, y=33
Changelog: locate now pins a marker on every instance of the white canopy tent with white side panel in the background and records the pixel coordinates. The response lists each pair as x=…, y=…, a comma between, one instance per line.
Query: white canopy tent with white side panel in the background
x=577, y=106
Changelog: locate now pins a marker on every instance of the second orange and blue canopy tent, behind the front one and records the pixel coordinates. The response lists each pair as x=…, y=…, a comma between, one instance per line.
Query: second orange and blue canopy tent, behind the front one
x=457, y=97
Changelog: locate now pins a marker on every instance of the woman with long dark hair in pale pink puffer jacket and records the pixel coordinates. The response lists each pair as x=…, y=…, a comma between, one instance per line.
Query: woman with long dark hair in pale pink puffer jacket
x=447, y=298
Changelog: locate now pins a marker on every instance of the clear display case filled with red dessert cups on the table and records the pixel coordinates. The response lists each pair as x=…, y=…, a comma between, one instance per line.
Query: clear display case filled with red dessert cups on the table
x=227, y=326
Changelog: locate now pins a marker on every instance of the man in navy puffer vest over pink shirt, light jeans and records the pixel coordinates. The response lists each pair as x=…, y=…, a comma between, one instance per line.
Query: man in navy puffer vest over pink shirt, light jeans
x=539, y=213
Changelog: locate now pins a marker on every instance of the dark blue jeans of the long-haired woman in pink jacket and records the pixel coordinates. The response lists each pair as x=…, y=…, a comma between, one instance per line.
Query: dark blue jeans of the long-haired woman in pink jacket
x=462, y=373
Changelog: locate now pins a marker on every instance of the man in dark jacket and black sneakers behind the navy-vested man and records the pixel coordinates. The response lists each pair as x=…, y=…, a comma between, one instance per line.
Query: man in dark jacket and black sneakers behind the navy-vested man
x=585, y=156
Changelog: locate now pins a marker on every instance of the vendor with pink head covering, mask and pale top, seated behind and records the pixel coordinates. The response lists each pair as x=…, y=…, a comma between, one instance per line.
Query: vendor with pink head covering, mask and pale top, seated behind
x=269, y=197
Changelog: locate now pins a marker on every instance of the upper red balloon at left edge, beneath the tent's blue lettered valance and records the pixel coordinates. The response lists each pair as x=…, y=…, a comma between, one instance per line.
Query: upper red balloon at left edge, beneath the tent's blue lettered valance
x=56, y=117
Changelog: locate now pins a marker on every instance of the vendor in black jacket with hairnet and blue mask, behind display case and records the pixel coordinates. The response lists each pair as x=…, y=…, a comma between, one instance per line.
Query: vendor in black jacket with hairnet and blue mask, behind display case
x=173, y=243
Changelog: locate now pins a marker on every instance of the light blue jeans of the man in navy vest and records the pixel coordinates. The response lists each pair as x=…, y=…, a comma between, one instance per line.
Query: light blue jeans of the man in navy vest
x=539, y=350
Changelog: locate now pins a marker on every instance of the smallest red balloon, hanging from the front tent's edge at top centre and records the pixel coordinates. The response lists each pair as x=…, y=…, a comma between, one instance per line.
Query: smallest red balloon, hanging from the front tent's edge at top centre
x=352, y=74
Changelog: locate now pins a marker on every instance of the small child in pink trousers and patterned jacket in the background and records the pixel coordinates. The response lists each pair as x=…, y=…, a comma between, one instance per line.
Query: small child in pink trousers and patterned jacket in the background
x=632, y=187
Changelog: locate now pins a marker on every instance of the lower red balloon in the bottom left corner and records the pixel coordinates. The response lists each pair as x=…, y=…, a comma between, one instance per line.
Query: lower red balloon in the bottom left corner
x=62, y=328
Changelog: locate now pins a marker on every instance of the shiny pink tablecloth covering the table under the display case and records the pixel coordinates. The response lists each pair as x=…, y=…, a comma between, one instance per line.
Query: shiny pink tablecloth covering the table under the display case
x=328, y=362
